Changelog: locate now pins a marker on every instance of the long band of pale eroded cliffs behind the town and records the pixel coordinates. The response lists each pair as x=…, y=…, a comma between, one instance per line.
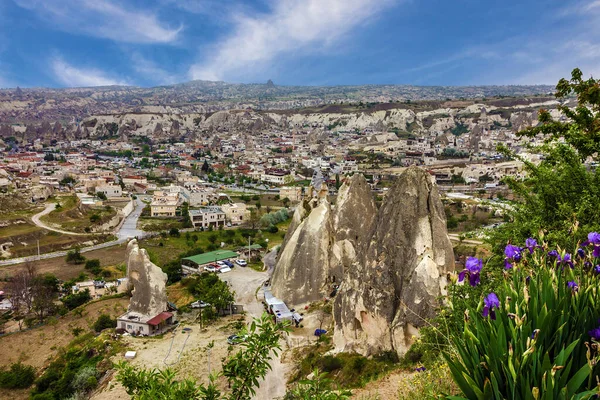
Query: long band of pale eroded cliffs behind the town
x=414, y=119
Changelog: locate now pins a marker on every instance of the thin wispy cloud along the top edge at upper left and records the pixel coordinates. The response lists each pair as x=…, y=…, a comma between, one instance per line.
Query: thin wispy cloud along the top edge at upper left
x=103, y=18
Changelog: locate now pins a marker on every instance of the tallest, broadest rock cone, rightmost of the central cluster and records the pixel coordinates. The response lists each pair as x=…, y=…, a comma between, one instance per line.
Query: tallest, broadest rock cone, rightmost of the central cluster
x=399, y=271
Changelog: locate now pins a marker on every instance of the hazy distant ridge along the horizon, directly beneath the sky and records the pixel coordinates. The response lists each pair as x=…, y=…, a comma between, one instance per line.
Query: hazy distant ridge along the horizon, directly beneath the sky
x=65, y=104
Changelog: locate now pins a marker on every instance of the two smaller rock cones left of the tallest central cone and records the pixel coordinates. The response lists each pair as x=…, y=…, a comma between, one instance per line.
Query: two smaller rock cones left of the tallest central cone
x=321, y=242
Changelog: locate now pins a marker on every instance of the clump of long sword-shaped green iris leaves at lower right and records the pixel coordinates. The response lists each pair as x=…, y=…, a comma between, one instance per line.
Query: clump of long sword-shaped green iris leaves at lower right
x=537, y=345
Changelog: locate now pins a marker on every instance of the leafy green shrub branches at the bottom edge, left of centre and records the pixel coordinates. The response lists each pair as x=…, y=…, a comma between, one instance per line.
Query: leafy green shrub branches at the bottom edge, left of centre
x=242, y=370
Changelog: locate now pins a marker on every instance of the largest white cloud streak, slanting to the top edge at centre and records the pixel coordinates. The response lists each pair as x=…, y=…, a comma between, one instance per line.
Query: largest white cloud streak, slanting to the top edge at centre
x=291, y=26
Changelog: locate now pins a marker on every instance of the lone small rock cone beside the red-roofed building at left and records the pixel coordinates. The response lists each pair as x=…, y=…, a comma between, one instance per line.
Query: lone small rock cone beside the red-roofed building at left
x=149, y=295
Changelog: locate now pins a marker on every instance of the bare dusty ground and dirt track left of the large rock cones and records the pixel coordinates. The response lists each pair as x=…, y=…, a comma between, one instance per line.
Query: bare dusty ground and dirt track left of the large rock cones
x=187, y=353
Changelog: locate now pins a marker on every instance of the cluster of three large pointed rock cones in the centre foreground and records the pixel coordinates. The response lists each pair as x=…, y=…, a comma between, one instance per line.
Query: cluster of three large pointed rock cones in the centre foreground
x=390, y=264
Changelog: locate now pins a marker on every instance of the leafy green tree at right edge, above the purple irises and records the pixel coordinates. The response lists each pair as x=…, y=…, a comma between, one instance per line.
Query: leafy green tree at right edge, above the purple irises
x=561, y=189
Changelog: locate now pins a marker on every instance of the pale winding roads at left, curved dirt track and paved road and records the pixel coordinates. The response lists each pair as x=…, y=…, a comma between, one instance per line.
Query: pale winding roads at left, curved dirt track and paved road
x=128, y=229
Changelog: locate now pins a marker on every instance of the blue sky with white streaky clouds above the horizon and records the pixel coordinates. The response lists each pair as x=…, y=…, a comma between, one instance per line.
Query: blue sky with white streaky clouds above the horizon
x=70, y=43
